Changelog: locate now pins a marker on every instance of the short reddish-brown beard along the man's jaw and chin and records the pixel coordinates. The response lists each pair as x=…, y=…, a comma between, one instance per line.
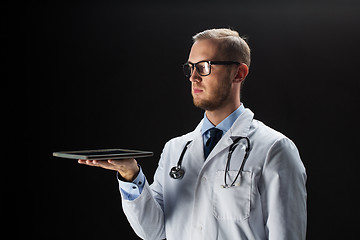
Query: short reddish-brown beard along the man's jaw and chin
x=217, y=98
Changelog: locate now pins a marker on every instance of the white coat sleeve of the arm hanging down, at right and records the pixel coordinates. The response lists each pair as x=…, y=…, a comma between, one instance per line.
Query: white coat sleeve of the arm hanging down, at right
x=283, y=192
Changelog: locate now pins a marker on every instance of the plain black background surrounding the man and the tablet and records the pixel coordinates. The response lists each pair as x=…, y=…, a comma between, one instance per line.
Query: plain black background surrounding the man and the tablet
x=90, y=75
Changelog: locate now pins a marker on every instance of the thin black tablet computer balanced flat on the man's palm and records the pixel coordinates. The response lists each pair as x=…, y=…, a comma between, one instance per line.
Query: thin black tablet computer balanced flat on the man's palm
x=103, y=154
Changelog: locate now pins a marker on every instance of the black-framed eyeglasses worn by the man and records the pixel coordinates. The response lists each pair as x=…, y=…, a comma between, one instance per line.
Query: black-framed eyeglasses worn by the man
x=203, y=67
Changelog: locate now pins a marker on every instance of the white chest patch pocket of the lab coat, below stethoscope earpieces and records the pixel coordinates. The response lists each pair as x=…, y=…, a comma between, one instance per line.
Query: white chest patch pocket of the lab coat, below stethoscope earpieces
x=232, y=203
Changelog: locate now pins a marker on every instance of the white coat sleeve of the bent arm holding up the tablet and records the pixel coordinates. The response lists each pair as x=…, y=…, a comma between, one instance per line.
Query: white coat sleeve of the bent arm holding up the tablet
x=146, y=214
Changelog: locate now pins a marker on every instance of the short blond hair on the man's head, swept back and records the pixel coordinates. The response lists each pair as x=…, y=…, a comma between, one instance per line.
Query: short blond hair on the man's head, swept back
x=234, y=45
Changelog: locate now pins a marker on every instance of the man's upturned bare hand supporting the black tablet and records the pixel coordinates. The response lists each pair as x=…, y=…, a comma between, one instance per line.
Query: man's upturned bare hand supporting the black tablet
x=127, y=168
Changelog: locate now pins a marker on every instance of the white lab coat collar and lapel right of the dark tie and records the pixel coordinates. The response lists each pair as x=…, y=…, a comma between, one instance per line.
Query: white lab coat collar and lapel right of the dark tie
x=241, y=127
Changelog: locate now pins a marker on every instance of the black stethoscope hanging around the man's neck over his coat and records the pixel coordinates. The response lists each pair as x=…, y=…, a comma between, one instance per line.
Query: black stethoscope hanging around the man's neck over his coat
x=177, y=172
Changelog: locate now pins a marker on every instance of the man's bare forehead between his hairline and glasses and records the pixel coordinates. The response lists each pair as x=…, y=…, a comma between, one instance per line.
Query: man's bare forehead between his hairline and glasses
x=205, y=50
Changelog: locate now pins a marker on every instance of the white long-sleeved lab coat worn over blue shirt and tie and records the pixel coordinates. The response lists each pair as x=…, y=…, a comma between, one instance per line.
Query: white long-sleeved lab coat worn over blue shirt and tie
x=268, y=201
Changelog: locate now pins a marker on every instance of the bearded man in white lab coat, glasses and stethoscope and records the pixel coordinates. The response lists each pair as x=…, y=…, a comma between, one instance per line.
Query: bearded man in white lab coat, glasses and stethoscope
x=233, y=177
